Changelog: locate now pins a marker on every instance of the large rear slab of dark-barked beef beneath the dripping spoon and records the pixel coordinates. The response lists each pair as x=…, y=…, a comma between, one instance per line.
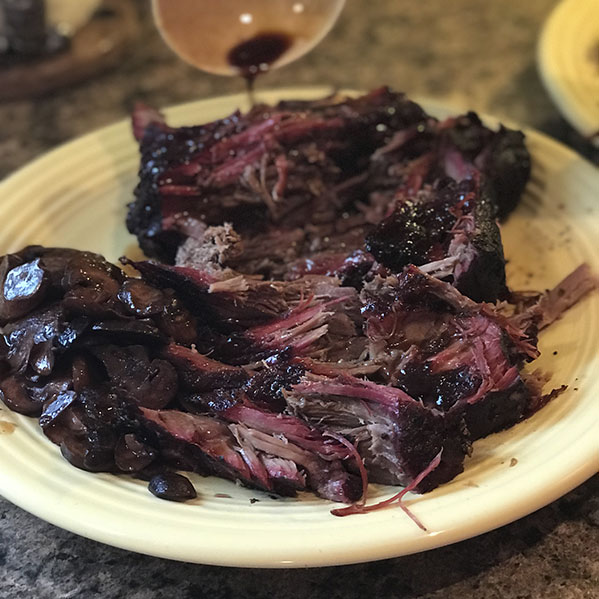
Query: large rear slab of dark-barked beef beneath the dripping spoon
x=307, y=187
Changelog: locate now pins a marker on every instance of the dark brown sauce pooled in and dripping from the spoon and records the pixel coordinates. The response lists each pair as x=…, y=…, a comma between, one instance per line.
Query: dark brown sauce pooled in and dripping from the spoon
x=255, y=55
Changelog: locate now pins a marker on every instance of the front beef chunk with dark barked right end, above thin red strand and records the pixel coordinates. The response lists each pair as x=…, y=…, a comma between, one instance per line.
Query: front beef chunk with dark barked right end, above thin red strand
x=396, y=436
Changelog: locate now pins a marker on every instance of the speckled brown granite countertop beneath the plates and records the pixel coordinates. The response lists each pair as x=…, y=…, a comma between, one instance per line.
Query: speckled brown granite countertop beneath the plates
x=479, y=55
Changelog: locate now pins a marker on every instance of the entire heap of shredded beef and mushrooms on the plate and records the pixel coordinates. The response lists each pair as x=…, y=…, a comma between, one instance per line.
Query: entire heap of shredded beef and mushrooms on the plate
x=314, y=323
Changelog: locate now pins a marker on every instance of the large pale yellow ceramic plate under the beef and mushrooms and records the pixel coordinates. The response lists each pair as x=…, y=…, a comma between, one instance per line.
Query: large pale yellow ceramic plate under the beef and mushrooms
x=76, y=195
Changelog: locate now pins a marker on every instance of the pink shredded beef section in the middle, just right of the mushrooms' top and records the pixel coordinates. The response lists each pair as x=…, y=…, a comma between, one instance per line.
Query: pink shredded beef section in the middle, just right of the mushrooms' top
x=249, y=320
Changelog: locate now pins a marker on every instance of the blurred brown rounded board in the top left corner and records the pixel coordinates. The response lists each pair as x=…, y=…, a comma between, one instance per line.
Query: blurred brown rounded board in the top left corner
x=48, y=44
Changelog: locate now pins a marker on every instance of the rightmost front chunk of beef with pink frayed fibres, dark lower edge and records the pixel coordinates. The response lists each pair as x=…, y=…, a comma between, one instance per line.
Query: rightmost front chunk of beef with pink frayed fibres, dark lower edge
x=447, y=351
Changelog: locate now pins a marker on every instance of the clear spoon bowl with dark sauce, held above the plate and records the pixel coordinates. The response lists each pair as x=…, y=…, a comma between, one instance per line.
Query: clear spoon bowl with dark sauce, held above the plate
x=244, y=37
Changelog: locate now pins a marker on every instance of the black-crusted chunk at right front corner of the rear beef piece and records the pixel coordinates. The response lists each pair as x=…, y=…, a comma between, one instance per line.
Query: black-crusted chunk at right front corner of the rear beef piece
x=448, y=229
